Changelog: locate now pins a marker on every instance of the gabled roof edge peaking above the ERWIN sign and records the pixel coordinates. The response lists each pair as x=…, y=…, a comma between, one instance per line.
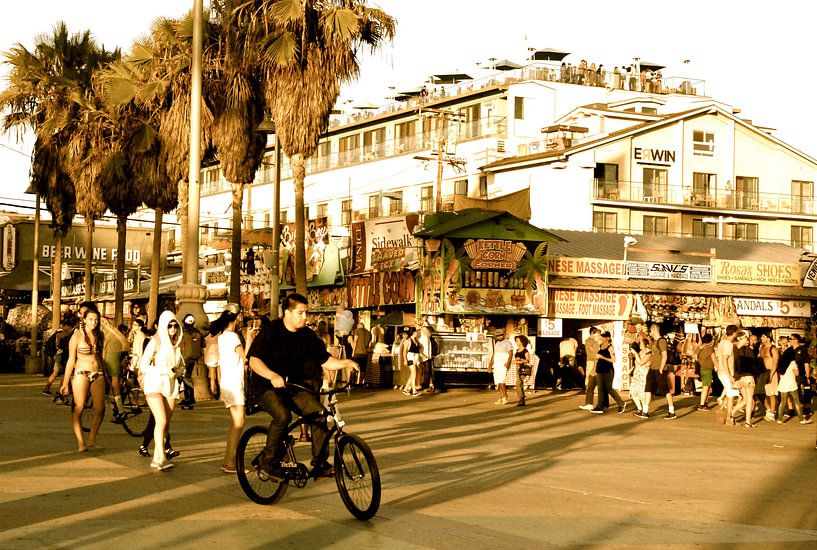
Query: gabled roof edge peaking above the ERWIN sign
x=710, y=108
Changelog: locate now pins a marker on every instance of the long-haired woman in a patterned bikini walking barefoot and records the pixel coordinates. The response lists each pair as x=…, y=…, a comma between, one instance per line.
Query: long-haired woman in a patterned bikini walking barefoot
x=84, y=370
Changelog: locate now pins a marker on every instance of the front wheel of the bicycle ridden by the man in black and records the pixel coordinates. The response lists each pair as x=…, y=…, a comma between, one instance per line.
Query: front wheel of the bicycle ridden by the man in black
x=357, y=477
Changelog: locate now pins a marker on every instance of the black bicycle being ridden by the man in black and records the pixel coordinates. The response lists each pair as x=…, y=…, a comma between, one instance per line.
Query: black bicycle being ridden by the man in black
x=356, y=474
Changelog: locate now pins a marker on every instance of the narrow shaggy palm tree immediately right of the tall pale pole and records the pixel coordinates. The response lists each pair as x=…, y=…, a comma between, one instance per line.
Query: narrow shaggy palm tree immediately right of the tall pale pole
x=239, y=108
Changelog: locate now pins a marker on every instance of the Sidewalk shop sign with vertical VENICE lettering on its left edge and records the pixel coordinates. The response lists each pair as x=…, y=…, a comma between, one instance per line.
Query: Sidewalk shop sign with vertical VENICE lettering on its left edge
x=384, y=244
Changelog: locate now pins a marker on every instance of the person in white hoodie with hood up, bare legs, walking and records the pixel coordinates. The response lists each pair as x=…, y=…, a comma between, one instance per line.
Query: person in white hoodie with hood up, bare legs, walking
x=158, y=370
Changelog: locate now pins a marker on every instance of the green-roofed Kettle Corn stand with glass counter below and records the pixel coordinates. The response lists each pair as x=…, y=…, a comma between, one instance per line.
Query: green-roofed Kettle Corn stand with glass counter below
x=480, y=271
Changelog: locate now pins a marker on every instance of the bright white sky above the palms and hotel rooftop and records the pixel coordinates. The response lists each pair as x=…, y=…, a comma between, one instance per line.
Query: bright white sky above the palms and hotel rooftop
x=752, y=55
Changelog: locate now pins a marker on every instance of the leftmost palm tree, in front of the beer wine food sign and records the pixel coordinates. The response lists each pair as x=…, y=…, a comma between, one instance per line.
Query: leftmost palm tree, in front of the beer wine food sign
x=40, y=96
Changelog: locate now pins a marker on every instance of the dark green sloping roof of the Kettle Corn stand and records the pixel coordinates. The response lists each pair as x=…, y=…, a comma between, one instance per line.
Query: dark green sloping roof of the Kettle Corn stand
x=483, y=224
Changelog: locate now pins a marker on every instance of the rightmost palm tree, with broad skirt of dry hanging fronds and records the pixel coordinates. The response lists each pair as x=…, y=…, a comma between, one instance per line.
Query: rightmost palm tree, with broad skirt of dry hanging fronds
x=308, y=50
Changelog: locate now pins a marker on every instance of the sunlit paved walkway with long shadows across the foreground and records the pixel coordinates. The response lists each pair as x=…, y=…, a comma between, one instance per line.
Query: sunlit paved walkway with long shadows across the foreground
x=458, y=472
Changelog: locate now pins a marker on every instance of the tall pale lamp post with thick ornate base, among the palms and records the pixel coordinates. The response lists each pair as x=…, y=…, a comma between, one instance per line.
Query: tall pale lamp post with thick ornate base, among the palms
x=191, y=294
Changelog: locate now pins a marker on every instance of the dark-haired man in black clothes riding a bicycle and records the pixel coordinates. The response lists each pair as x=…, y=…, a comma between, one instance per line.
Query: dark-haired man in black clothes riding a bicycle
x=286, y=351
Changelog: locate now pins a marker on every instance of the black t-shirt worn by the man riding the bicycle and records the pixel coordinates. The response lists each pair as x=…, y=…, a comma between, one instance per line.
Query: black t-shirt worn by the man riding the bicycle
x=296, y=356
